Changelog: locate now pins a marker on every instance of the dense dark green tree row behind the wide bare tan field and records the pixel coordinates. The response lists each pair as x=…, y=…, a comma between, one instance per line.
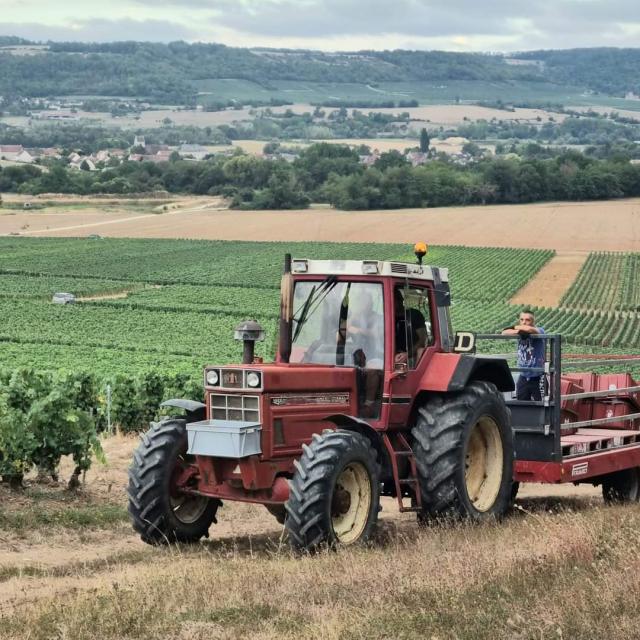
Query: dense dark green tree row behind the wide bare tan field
x=334, y=173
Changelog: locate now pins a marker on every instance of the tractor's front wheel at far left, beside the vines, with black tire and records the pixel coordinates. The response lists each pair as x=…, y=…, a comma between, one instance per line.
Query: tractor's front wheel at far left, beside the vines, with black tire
x=159, y=513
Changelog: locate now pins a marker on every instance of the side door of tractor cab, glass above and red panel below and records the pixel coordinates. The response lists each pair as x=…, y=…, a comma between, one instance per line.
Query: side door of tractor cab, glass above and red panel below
x=414, y=342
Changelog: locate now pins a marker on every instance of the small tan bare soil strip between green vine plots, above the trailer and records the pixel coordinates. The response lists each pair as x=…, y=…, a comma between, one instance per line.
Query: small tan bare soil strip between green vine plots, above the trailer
x=552, y=281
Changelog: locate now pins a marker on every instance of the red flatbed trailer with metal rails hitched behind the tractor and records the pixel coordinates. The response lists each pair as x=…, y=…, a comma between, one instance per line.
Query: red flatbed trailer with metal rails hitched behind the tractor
x=600, y=445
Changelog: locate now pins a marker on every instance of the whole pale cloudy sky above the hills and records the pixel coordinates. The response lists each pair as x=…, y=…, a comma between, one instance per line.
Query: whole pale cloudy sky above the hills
x=334, y=25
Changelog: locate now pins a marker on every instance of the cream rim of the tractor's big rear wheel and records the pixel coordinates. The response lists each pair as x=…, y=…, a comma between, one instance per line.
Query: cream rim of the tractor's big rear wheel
x=484, y=464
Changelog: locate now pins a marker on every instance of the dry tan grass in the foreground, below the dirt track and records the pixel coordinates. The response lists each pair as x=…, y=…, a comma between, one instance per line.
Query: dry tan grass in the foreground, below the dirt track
x=568, y=574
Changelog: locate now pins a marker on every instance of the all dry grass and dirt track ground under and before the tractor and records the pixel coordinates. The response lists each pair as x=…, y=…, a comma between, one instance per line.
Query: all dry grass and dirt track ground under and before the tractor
x=557, y=567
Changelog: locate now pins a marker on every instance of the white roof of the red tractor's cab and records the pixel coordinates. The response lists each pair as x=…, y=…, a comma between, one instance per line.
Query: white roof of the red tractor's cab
x=366, y=267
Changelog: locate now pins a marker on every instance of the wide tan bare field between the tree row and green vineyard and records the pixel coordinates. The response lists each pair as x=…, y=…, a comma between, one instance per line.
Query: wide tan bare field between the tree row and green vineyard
x=564, y=226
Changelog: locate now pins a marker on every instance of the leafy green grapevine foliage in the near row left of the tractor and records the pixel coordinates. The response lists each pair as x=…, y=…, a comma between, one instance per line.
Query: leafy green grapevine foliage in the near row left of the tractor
x=45, y=416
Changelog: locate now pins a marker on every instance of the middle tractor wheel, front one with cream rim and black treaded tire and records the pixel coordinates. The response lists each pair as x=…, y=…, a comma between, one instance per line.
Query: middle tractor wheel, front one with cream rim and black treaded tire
x=334, y=496
